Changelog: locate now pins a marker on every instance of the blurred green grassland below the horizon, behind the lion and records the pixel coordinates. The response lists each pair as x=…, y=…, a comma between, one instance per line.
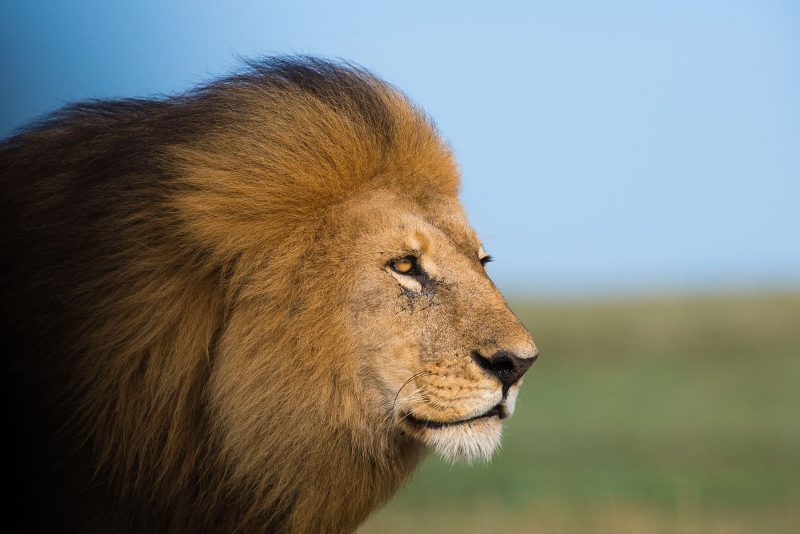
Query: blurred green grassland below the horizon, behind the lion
x=668, y=415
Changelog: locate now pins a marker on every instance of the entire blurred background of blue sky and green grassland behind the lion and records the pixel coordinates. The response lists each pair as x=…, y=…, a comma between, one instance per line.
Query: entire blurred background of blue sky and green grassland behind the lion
x=633, y=167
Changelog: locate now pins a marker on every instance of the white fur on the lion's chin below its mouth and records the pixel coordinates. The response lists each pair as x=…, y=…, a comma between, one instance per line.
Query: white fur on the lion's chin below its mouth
x=467, y=442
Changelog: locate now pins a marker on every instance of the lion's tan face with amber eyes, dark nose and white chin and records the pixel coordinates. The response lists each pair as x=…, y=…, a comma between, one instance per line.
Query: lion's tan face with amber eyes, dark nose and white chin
x=440, y=355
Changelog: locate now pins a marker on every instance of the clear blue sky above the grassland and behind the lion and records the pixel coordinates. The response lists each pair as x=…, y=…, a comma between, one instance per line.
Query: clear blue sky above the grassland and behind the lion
x=606, y=147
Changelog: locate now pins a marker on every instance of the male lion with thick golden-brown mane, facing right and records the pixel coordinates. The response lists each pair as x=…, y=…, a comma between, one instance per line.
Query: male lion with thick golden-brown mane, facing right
x=250, y=307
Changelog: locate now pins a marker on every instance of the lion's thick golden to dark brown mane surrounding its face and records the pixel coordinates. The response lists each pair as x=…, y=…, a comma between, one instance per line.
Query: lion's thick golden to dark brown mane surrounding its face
x=145, y=238
